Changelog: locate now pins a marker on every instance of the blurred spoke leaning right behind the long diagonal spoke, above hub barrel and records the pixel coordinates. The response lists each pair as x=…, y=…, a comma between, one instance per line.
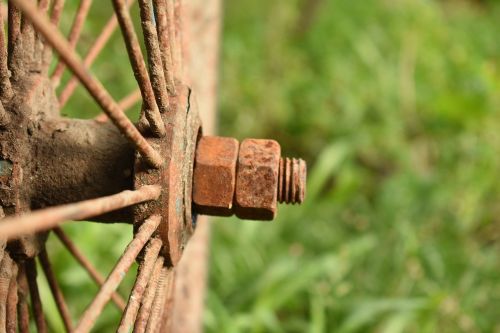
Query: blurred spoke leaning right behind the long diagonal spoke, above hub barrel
x=92, y=54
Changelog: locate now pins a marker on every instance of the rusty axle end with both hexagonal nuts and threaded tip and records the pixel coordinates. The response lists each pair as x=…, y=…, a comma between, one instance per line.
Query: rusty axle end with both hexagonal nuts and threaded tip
x=249, y=182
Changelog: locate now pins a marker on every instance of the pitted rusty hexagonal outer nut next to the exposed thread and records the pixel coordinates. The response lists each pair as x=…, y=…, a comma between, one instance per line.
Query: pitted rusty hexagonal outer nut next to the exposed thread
x=257, y=179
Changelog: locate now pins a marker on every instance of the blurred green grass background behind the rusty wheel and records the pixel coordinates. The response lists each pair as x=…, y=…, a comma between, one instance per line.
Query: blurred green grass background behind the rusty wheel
x=395, y=107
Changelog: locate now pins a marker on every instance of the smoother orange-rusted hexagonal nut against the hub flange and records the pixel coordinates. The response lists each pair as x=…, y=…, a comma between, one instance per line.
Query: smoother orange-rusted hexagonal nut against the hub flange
x=214, y=175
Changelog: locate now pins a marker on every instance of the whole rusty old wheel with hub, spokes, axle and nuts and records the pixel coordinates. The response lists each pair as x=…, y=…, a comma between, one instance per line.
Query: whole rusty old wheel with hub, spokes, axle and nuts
x=54, y=169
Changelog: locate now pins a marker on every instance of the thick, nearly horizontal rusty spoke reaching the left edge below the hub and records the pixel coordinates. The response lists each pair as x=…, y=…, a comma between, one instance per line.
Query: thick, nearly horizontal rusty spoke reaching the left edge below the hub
x=48, y=218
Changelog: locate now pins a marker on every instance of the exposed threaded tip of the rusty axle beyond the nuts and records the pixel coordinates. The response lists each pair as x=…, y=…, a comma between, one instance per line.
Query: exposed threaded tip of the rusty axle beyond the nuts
x=292, y=180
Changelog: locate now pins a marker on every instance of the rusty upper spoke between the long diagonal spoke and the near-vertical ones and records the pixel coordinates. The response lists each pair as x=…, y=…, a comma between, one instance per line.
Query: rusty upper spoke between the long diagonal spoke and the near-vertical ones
x=139, y=68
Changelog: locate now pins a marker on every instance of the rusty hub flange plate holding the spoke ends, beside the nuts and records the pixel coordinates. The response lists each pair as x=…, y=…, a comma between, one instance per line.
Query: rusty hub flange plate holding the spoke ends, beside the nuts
x=174, y=176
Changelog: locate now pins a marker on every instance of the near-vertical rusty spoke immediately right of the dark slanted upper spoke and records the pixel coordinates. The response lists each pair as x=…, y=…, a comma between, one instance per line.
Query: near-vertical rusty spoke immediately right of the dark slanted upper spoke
x=154, y=57
